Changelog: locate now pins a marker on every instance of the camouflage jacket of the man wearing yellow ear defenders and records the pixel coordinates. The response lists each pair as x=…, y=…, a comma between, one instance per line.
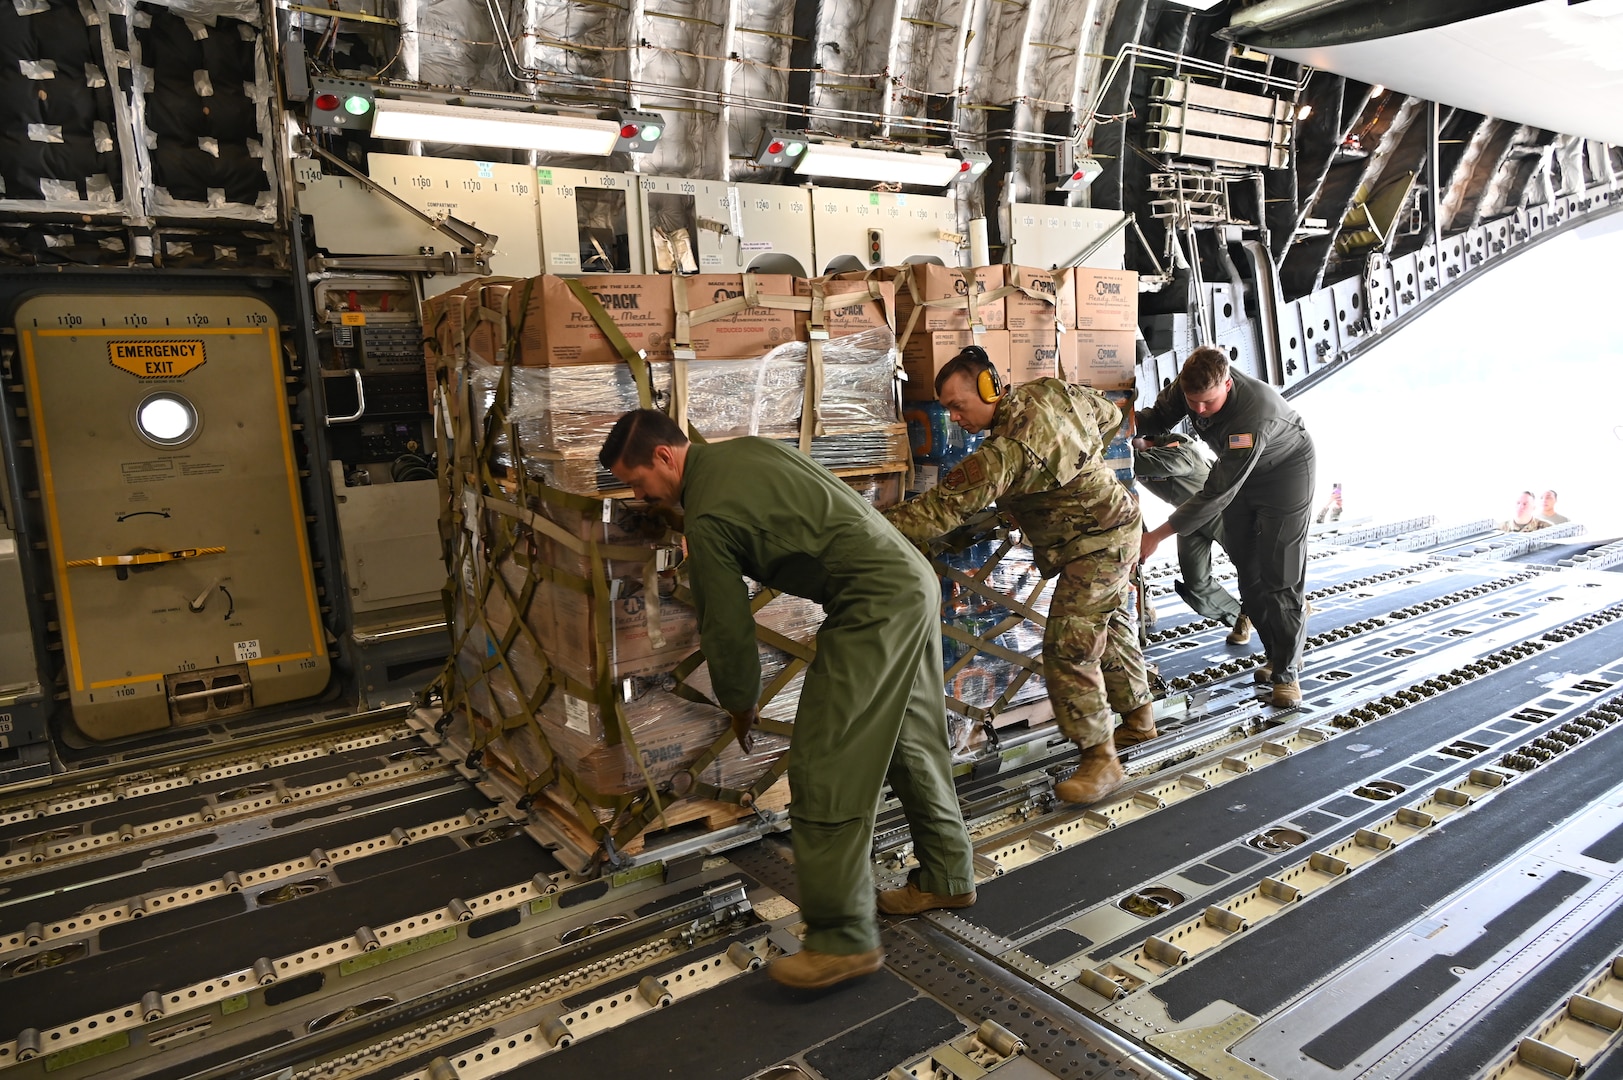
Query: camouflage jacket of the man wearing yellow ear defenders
x=1043, y=465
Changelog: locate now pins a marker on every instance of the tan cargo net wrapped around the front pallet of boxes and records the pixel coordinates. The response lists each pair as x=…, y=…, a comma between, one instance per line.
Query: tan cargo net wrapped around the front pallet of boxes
x=577, y=673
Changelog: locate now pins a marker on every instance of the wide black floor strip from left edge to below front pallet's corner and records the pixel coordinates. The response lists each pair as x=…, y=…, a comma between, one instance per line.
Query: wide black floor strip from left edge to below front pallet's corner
x=105, y=982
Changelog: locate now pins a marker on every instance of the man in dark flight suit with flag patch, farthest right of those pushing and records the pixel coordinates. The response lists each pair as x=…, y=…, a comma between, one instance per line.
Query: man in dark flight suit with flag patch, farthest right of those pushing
x=1264, y=490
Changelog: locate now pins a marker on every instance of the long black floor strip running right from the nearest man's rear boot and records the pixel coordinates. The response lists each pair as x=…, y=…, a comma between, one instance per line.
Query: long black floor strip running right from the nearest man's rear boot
x=1067, y=883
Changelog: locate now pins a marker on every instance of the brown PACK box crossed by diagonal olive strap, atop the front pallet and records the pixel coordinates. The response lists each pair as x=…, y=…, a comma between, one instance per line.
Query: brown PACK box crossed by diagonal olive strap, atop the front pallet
x=559, y=332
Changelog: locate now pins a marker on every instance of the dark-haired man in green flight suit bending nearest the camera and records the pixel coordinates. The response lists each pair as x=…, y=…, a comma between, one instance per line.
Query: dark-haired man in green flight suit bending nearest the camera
x=872, y=706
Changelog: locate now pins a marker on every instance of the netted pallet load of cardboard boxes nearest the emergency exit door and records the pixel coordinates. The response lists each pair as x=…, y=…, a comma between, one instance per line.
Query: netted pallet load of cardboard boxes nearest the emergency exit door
x=577, y=675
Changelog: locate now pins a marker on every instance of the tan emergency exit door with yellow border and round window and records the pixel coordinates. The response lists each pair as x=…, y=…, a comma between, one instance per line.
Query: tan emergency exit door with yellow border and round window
x=174, y=517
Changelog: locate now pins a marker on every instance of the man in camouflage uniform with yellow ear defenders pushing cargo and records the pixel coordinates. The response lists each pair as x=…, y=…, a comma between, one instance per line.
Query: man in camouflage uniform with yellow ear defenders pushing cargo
x=1043, y=465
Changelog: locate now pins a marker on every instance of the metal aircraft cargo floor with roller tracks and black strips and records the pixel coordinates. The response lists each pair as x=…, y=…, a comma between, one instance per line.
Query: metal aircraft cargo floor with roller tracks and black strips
x=1414, y=875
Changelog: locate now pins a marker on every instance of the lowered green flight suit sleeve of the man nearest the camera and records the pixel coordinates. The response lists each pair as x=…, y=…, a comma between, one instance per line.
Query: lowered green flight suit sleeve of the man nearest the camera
x=726, y=624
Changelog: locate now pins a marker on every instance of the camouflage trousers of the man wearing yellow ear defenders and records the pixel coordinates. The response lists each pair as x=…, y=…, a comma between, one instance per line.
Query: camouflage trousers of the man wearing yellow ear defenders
x=1091, y=659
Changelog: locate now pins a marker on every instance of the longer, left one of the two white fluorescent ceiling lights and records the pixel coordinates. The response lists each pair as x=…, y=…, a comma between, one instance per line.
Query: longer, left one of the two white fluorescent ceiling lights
x=493, y=127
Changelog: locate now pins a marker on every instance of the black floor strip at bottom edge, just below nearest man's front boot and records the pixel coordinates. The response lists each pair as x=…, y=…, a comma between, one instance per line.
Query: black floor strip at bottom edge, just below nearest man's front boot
x=728, y=1034
